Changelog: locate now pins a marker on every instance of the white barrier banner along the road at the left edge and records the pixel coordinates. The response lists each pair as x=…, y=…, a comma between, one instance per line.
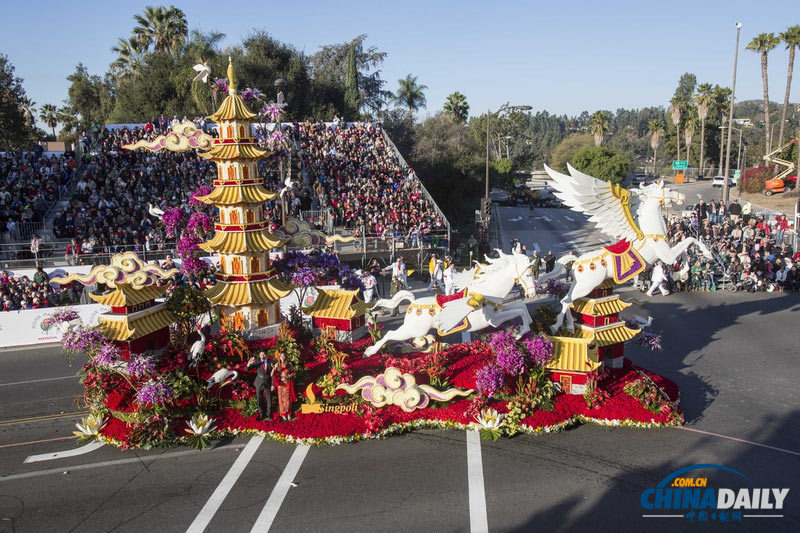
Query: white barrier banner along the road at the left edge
x=24, y=328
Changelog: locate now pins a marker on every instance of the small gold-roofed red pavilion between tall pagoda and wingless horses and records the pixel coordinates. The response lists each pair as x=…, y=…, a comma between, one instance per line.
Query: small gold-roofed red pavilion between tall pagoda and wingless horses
x=338, y=314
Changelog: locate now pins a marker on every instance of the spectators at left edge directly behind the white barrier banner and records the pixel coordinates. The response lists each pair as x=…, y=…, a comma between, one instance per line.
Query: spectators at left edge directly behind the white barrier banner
x=21, y=292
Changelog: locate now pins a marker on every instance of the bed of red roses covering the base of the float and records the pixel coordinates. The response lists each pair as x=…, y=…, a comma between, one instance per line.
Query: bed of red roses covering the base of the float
x=456, y=366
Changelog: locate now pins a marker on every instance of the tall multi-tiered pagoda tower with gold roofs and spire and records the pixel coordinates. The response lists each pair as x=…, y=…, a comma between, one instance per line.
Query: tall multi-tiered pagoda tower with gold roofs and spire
x=247, y=293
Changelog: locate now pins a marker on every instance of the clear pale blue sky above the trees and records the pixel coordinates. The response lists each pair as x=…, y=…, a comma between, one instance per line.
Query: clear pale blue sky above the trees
x=562, y=56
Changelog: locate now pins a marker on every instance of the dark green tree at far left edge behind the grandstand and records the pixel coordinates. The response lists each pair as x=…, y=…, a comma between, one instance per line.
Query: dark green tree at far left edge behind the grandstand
x=15, y=132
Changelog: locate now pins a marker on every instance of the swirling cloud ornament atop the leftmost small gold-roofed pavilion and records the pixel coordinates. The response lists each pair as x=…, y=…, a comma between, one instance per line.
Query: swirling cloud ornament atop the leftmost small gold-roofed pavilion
x=125, y=268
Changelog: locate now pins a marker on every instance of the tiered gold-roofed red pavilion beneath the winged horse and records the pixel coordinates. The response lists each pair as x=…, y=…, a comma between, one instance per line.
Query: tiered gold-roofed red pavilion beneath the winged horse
x=600, y=339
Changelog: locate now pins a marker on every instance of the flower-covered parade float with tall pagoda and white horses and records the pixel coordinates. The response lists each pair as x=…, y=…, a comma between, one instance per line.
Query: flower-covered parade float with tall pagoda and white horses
x=515, y=377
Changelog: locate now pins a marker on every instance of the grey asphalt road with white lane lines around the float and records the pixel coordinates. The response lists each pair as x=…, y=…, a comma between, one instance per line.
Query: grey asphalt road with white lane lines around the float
x=733, y=356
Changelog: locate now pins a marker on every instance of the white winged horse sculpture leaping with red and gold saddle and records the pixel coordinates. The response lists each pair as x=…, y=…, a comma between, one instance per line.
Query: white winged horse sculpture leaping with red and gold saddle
x=633, y=216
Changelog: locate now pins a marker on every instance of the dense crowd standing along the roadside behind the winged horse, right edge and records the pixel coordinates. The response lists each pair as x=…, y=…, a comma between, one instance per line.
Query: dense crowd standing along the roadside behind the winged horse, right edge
x=750, y=251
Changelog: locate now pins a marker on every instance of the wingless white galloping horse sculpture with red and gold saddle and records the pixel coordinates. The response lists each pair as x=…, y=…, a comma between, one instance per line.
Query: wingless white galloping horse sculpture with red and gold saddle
x=477, y=306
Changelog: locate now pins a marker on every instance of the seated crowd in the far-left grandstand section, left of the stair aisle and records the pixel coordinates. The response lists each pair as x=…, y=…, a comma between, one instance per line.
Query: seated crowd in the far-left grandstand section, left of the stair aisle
x=29, y=185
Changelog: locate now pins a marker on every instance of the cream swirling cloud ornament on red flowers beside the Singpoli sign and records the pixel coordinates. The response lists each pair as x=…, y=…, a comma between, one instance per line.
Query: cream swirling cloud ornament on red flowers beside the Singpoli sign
x=396, y=388
